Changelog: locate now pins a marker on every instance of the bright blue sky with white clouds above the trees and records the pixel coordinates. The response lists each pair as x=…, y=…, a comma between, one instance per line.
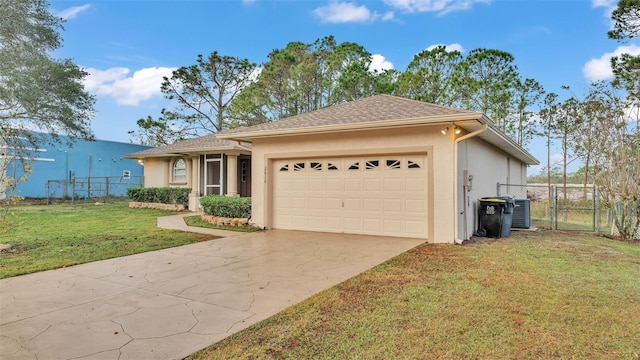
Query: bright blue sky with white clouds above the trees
x=127, y=46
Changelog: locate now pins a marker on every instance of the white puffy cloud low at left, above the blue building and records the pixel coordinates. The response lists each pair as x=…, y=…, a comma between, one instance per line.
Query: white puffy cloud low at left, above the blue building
x=127, y=90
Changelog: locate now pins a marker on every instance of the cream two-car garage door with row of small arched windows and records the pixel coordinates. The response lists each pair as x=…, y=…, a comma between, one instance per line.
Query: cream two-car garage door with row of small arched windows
x=383, y=195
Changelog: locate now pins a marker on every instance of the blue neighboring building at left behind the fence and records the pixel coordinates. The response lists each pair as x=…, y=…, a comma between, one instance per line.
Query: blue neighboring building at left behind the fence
x=59, y=169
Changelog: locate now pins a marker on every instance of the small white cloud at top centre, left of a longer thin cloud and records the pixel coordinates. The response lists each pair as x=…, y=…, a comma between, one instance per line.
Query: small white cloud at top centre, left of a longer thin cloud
x=346, y=12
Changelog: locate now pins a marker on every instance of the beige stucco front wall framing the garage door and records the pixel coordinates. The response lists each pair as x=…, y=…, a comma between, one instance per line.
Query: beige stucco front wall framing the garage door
x=416, y=140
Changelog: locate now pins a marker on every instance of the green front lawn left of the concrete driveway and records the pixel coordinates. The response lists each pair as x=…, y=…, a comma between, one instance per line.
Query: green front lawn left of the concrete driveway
x=48, y=237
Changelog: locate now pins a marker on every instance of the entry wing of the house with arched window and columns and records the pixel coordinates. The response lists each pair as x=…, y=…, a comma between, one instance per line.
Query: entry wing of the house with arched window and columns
x=207, y=165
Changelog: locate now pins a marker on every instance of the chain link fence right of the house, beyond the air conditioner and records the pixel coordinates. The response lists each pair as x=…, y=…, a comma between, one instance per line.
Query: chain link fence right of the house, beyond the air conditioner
x=559, y=207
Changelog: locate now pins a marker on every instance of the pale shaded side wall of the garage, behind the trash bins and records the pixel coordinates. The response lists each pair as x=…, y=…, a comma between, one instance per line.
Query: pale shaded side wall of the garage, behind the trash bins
x=488, y=165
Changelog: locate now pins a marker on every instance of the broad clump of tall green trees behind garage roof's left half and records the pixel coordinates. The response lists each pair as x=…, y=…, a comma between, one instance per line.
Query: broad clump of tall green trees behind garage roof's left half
x=305, y=77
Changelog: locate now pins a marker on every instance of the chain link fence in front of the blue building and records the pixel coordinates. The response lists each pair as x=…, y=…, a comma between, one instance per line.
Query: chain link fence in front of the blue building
x=103, y=188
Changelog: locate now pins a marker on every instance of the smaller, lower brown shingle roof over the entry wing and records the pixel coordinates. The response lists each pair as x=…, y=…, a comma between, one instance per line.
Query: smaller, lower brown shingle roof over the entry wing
x=208, y=143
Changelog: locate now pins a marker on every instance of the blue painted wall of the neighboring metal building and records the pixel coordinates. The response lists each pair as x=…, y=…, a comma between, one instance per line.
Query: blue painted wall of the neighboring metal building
x=99, y=158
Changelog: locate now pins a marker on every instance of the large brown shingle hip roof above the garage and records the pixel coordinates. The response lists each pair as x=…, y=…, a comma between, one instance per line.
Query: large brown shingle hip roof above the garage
x=370, y=109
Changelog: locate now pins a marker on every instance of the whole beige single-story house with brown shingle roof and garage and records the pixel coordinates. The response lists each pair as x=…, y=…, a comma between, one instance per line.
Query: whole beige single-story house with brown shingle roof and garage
x=382, y=165
